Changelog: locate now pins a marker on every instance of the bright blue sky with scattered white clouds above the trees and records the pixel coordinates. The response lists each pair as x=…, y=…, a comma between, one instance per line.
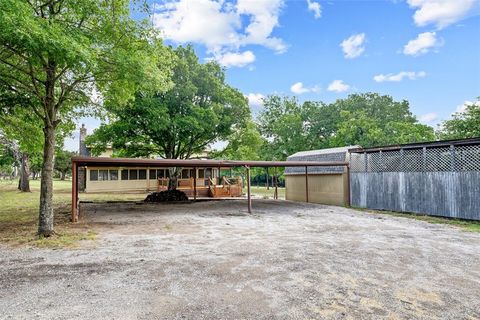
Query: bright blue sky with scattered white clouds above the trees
x=424, y=51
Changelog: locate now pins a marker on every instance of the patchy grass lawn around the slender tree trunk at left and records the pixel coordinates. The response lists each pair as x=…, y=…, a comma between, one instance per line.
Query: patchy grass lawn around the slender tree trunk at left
x=19, y=214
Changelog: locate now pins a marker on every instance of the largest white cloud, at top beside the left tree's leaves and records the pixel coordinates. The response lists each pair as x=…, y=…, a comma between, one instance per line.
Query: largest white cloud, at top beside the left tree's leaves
x=223, y=27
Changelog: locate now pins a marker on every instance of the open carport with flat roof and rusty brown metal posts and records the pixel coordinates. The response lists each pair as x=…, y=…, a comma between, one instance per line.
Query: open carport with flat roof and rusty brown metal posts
x=105, y=162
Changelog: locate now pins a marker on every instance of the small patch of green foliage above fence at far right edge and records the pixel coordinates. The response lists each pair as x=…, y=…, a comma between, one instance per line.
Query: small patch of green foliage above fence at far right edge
x=463, y=125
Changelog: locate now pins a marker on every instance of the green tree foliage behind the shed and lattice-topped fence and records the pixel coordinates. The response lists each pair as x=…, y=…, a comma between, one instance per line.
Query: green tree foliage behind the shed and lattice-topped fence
x=366, y=119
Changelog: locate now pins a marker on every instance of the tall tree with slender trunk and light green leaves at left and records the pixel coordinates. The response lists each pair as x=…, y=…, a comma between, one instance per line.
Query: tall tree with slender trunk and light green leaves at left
x=56, y=54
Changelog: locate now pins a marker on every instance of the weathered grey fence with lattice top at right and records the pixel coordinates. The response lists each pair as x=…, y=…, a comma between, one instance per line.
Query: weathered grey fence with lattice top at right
x=441, y=179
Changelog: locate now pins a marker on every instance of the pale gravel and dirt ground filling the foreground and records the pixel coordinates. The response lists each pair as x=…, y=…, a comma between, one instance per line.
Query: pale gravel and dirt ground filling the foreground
x=212, y=260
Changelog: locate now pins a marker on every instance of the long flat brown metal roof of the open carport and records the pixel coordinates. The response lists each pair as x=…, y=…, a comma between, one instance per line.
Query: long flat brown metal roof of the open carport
x=126, y=162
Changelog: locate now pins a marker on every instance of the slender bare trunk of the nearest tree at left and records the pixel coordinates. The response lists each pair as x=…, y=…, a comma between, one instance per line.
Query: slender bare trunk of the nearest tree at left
x=45, y=218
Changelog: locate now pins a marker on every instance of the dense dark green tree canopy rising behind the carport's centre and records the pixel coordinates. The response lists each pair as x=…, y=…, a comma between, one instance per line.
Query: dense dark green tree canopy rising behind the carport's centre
x=199, y=109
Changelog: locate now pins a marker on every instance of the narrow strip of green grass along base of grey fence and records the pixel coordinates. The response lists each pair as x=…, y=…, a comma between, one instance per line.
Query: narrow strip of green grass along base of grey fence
x=471, y=226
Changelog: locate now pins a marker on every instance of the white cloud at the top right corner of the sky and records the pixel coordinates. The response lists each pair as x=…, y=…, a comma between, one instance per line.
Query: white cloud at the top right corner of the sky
x=440, y=12
